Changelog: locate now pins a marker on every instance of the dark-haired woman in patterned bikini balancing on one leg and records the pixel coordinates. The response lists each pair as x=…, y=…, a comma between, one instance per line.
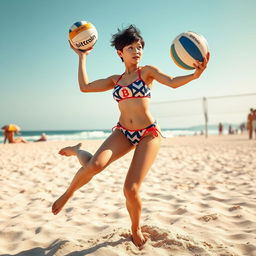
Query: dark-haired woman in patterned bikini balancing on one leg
x=136, y=130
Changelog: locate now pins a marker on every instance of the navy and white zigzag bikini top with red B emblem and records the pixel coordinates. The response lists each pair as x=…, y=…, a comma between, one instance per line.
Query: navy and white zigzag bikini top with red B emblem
x=137, y=89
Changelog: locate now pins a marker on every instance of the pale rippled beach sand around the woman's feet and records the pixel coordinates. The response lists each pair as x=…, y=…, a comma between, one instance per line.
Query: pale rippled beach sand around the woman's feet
x=198, y=199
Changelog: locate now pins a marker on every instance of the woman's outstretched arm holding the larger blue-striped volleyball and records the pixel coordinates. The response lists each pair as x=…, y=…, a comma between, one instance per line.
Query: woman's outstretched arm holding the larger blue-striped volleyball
x=178, y=81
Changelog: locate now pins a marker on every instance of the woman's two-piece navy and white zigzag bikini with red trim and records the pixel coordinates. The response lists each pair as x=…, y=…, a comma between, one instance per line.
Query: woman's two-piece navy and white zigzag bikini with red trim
x=137, y=89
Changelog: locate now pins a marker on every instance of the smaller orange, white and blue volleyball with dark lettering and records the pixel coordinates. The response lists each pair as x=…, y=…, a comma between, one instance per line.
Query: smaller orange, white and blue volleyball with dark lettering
x=83, y=35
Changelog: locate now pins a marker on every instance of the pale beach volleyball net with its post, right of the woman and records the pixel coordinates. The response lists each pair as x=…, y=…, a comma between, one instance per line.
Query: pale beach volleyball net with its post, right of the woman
x=186, y=113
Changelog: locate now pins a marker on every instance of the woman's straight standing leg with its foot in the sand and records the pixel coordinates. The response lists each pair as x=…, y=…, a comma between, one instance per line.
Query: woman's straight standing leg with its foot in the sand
x=144, y=156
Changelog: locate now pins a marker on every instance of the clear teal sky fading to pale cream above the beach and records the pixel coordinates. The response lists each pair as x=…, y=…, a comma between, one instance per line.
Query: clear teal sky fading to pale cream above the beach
x=38, y=70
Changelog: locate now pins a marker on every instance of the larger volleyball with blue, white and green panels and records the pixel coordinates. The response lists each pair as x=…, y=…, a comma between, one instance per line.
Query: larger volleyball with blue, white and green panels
x=187, y=48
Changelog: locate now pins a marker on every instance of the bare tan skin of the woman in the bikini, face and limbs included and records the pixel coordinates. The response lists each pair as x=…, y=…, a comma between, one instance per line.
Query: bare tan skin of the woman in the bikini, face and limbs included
x=134, y=114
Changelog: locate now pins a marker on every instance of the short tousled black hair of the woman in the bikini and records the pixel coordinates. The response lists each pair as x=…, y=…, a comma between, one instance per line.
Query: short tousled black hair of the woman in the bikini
x=126, y=37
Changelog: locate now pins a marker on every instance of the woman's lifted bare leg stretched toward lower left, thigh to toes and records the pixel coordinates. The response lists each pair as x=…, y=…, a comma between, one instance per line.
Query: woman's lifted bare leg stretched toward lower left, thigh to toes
x=115, y=146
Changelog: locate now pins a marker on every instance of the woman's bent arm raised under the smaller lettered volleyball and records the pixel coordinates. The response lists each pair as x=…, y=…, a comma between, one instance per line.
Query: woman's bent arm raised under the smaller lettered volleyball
x=84, y=84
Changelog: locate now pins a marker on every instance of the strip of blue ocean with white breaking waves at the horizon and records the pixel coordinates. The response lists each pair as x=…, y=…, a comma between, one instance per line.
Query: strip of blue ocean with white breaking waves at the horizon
x=61, y=135
